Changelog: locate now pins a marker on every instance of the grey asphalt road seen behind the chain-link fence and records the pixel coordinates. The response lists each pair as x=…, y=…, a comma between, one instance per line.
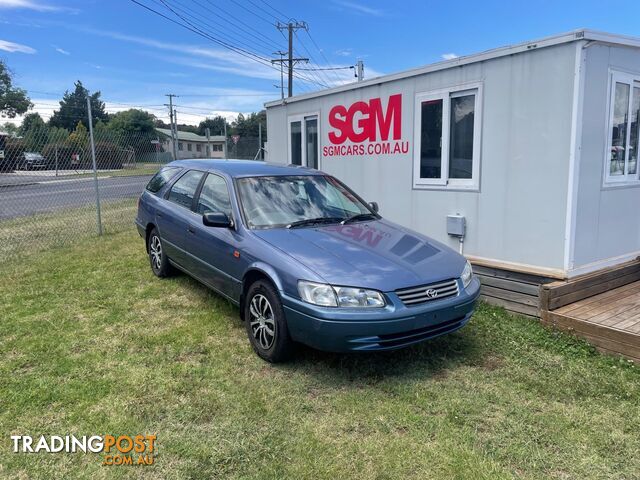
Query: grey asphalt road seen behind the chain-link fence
x=19, y=201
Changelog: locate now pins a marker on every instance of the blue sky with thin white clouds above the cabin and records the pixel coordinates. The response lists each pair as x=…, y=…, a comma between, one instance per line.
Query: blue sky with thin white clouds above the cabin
x=134, y=57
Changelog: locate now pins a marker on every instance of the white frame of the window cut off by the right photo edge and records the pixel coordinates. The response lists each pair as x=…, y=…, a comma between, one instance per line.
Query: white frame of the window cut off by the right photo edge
x=626, y=179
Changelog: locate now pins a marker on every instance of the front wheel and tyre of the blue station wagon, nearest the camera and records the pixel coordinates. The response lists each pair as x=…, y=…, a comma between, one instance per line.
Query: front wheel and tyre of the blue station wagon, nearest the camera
x=265, y=323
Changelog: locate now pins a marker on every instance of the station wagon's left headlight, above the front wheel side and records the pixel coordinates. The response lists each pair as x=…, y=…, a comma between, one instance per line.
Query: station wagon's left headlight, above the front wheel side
x=329, y=296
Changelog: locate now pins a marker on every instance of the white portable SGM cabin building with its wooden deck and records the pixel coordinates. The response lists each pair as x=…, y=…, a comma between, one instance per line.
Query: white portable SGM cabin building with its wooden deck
x=533, y=147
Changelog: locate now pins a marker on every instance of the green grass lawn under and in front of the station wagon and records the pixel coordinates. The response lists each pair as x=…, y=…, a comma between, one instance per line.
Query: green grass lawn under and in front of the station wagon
x=92, y=343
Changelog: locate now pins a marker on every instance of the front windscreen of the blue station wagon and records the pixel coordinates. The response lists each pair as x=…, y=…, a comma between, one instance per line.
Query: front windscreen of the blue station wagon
x=280, y=201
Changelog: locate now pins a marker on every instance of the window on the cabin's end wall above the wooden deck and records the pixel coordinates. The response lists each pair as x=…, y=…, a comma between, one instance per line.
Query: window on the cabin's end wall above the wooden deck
x=624, y=129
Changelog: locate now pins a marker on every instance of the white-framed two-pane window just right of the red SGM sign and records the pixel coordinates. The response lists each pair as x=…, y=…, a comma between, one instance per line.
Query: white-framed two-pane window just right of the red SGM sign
x=447, y=139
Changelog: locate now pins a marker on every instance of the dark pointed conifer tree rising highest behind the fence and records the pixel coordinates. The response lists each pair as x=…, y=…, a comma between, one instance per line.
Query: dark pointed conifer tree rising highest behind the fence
x=73, y=108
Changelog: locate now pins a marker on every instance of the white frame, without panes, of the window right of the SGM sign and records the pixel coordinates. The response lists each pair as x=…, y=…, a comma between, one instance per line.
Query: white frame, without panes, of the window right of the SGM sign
x=446, y=94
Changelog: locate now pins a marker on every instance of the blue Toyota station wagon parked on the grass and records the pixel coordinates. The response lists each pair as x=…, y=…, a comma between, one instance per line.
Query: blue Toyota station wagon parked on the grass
x=304, y=257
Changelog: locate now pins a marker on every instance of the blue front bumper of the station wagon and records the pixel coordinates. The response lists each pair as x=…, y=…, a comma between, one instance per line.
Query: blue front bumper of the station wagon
x=394, y=326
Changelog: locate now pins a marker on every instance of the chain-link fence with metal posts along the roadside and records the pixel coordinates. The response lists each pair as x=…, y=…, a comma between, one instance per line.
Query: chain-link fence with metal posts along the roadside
x=52, y=192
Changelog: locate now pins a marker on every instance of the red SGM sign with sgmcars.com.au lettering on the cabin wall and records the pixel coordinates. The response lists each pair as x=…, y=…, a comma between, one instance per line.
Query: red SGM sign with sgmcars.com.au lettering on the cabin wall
x=367, y=128
